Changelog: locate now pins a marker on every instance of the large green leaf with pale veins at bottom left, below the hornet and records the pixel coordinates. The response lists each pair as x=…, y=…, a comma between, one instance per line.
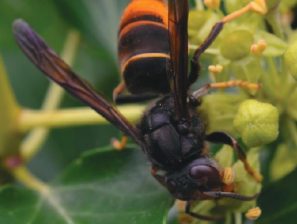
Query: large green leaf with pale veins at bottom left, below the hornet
x=102, y=186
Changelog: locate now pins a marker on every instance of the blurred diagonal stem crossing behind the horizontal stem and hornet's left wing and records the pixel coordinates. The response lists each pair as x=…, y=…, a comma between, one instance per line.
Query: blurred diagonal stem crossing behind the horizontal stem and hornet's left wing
x=31, y=145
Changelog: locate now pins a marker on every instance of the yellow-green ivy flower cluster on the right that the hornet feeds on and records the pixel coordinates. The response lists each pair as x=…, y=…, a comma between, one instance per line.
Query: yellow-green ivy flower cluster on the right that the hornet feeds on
x=259, y=49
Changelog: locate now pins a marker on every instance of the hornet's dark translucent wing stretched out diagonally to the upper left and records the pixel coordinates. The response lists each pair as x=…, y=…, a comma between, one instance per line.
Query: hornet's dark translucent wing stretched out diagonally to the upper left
x=57, y=70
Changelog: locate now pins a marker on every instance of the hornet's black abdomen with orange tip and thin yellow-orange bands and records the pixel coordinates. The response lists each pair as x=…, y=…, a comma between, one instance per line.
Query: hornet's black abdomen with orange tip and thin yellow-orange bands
x=144, y=47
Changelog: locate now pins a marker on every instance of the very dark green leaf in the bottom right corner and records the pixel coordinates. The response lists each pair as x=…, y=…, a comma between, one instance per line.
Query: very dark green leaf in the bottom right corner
x=278, y=201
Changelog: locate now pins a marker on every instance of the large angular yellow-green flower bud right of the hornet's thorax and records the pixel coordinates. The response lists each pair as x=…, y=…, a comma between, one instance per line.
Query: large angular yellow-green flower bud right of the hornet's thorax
x=256, y=122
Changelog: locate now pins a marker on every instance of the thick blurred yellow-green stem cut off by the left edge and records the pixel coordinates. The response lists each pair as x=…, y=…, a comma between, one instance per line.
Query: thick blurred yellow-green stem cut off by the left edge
x=9, y=112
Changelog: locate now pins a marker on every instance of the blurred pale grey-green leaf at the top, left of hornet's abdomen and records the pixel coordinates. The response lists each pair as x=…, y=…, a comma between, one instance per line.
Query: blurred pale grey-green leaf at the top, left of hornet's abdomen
x=97, y=20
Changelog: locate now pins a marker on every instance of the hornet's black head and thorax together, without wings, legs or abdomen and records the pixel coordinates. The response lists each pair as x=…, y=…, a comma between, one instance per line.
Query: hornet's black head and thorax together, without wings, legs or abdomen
x=177, y=150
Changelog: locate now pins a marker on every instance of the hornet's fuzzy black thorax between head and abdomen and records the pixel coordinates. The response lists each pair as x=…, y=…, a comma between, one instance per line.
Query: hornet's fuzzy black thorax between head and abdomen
x=170, y=145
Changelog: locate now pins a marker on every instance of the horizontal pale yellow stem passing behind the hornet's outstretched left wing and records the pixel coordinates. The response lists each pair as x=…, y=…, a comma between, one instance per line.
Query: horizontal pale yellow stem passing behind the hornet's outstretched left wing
x=71, y=117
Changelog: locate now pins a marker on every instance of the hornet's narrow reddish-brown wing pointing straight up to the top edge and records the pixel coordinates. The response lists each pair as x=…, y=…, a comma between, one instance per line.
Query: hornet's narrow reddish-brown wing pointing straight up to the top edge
x=178, y=31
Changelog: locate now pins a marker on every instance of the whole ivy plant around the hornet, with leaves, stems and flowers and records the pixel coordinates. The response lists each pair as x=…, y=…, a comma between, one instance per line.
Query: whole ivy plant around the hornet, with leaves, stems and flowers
x=55, y=169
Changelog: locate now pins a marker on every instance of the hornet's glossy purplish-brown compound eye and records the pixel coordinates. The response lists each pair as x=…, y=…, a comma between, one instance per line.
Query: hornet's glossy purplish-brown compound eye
x=206, y=175
